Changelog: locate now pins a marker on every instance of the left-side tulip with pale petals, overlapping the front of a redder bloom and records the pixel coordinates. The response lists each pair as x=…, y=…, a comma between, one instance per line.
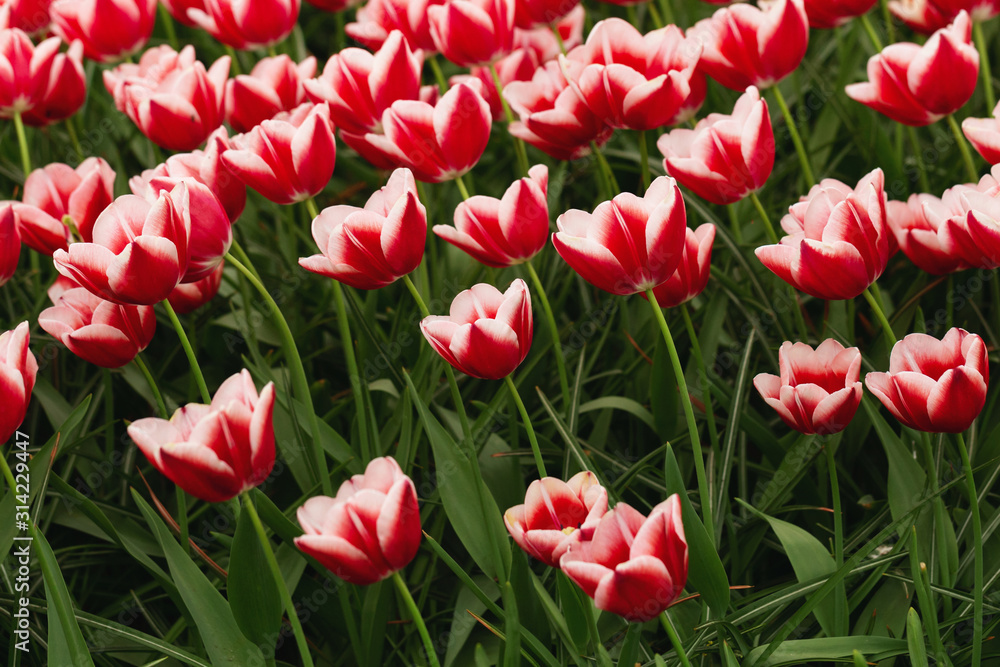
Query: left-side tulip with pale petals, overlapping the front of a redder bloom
x=138, y=254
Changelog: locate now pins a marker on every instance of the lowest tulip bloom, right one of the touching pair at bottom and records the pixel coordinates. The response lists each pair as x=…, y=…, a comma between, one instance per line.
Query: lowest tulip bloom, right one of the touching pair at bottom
x=634, y=566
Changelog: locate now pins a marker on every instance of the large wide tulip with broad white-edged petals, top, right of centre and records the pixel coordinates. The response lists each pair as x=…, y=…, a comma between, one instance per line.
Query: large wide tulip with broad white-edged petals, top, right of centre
x=631, y=80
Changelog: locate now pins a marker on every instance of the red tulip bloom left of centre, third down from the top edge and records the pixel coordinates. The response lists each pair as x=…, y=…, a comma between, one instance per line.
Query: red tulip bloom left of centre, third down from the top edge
x=289, y=158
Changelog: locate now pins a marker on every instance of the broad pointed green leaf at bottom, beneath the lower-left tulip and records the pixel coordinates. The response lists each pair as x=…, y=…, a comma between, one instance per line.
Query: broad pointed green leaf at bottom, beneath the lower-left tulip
x=224, y=642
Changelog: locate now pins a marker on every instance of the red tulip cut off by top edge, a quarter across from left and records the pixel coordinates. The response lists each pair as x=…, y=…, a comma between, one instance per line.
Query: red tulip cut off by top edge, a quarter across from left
x=247, y=24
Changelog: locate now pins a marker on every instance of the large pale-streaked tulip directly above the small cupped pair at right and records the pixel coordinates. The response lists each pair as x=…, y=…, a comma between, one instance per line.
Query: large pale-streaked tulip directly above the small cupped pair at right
x=837, y=243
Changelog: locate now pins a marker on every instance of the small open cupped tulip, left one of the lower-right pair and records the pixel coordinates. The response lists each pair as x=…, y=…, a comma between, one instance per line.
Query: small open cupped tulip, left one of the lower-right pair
x=818, y=390
